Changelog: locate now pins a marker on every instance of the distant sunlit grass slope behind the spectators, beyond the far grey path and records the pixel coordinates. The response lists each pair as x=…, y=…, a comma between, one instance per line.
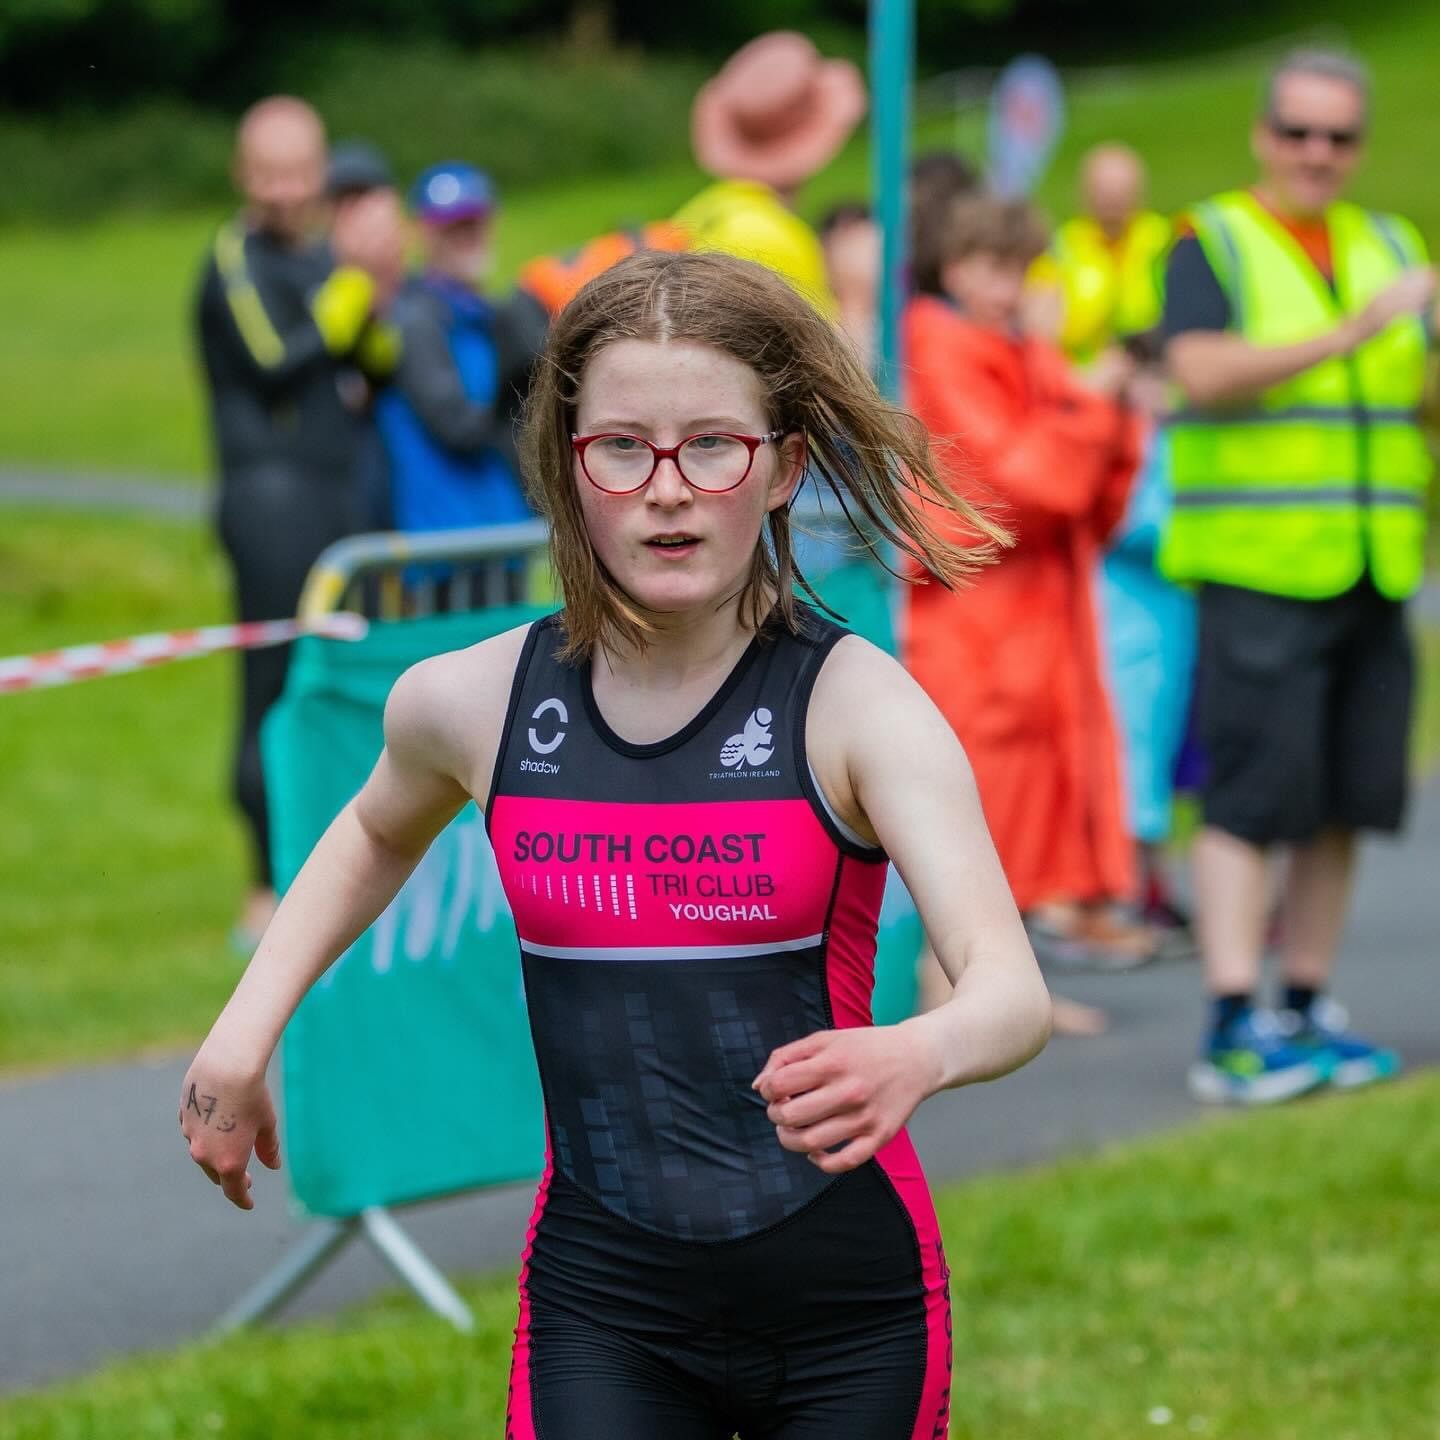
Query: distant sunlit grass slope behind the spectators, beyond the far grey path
x=96, y=354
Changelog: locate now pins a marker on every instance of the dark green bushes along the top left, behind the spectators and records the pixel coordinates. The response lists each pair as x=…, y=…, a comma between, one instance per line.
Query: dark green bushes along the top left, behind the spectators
x=528, y=116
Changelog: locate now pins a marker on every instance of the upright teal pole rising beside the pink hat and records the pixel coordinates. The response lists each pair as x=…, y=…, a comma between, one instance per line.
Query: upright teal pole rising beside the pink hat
x=892, y=67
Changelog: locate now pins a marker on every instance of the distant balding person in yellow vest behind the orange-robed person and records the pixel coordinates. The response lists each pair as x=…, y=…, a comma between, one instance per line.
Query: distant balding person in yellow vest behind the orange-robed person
x=1108, y=263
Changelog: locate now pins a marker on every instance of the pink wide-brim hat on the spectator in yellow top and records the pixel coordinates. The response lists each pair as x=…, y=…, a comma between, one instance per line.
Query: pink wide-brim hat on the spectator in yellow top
x=777, y=113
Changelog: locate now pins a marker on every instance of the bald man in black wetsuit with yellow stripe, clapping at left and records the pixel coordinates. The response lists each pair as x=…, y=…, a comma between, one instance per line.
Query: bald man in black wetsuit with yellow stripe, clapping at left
x=282, y=319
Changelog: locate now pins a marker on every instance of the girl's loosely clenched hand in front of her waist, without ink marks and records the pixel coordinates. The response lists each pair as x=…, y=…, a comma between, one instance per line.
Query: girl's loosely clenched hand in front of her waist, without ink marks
x=847, y=1088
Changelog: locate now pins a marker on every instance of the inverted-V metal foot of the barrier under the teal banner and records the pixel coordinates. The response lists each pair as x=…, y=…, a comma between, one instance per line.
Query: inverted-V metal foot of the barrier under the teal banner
x=322, y=1243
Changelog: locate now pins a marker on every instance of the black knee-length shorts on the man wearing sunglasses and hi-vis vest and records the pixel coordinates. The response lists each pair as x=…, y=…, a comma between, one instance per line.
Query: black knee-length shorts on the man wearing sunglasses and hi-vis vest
x=1304, y=714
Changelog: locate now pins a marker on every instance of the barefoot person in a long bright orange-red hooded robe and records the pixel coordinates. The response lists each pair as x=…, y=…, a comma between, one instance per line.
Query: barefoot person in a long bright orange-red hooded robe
x=1014, y=663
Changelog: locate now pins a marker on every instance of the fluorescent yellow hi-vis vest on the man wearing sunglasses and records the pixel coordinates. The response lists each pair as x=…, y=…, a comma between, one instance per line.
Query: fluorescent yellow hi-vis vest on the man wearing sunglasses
x=1326, y=476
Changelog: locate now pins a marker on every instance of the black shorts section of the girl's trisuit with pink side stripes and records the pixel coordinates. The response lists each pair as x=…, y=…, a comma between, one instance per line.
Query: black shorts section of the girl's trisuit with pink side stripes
x=832, y=1326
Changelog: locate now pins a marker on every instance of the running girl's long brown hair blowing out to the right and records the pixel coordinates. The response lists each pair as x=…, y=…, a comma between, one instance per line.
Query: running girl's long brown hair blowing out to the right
x=873, y=457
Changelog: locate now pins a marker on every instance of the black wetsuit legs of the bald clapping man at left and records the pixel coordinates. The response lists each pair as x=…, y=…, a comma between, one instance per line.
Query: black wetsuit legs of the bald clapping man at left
x=274, y=522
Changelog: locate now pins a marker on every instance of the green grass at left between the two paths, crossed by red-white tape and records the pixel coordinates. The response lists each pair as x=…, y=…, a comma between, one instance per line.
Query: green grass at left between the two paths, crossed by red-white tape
x=122, y=863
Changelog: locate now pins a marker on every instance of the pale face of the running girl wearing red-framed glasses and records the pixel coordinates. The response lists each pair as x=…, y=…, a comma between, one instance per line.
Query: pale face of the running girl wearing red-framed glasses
x=675, y=549
